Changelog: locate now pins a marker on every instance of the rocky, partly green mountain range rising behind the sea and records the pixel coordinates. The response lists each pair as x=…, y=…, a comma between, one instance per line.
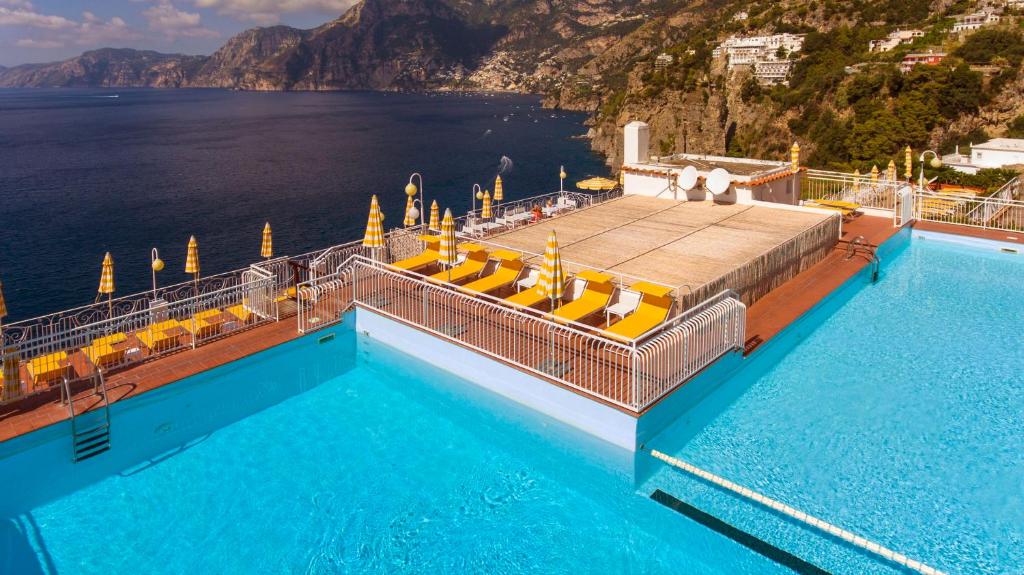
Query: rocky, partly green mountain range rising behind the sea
x=848, y=106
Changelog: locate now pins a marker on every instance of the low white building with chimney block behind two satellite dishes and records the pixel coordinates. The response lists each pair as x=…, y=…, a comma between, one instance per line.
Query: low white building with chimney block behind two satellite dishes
x=750, y=181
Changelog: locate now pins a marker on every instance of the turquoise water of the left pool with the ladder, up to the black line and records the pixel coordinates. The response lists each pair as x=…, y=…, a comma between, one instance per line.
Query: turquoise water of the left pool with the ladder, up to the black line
x=307, y=461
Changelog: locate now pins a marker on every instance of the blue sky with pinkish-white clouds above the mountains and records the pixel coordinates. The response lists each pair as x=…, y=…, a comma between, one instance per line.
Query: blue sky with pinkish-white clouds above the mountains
x=42, y=31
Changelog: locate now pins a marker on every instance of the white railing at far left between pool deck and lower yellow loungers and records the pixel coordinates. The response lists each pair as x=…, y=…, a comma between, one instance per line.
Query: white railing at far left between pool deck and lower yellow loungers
x=40, y=353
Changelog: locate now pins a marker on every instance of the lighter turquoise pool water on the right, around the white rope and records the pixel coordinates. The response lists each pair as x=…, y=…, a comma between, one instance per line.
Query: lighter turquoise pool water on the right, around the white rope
x=894, y=413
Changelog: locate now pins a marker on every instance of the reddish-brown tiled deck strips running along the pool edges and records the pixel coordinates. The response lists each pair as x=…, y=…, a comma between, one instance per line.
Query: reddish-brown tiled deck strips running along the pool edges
x=765, y=319
